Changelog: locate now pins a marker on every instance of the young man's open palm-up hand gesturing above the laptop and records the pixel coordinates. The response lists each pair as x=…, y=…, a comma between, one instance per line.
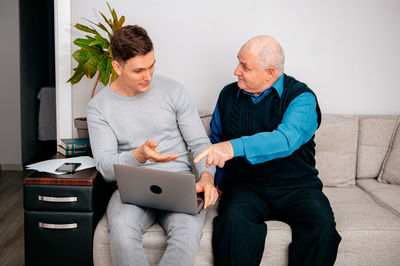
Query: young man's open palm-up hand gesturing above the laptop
x=147, y=151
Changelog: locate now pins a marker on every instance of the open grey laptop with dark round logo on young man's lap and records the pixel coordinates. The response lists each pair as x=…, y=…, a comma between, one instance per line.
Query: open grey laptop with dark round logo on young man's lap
x=158, y=189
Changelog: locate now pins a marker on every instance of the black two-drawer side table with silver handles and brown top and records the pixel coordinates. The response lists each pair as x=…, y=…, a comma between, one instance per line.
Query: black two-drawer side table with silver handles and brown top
x=61, y=213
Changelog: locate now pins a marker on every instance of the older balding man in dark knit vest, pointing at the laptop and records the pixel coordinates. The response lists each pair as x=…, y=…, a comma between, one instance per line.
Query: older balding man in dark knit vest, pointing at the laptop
x=263, y=127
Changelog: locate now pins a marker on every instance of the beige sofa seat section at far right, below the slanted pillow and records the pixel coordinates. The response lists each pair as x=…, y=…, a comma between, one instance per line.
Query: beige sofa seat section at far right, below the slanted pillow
x=386, y=195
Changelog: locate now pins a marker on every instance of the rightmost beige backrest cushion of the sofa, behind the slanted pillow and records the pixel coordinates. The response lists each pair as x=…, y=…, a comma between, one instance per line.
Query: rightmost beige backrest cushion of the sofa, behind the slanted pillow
x=373, y=143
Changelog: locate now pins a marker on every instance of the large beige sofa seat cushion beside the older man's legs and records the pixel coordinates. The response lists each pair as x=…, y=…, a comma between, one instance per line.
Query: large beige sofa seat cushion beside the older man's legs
x=370, y=233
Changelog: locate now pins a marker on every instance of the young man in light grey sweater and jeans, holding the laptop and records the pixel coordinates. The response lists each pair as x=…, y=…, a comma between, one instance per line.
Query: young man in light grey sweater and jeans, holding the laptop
x=149, y=121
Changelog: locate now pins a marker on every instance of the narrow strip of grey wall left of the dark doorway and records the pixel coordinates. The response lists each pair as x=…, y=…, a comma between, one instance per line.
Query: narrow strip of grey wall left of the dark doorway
x=10, y=115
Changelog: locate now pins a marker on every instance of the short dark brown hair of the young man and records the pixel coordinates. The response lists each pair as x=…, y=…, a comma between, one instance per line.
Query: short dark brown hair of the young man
x=130, y=41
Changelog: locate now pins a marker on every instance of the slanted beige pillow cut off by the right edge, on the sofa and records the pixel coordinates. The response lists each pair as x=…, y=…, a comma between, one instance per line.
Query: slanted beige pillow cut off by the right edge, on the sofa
x=390, y=172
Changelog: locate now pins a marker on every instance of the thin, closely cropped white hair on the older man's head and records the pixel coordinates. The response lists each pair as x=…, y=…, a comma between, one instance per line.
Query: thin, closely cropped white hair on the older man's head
x=269, y=52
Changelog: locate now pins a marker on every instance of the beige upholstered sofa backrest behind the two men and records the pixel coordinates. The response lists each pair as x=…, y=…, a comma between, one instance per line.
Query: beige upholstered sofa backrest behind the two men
x=347, y=146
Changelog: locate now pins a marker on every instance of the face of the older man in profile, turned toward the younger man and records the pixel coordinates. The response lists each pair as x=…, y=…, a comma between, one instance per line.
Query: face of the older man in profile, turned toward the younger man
x=251, y=78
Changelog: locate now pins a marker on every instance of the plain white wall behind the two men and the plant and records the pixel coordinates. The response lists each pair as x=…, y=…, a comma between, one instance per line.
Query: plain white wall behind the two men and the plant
x=346, y=51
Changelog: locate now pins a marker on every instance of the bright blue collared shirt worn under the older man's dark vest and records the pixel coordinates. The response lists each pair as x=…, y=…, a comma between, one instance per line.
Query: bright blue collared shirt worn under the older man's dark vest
x=298, y=125
